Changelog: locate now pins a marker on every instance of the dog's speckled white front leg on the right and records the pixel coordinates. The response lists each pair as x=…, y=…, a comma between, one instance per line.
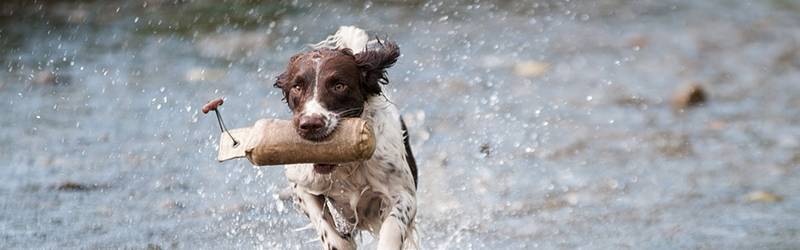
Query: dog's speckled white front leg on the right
x=396, y=230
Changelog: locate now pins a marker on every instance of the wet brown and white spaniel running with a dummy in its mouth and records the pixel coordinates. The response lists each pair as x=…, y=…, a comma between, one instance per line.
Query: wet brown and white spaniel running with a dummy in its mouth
x=340, y=78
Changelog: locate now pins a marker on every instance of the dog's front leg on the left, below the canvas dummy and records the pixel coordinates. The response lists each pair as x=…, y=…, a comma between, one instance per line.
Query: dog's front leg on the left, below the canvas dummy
x=312, y=206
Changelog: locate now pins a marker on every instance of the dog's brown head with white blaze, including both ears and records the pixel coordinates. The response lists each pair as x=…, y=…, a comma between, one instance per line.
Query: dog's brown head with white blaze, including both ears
x=325, y=85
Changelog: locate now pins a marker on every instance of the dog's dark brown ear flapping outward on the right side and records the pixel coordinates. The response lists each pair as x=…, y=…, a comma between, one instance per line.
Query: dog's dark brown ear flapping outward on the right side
x=373, y=64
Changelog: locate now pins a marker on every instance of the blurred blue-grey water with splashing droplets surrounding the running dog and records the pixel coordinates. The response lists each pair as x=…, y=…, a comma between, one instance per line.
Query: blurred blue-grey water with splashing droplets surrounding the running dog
x=604, y=124
